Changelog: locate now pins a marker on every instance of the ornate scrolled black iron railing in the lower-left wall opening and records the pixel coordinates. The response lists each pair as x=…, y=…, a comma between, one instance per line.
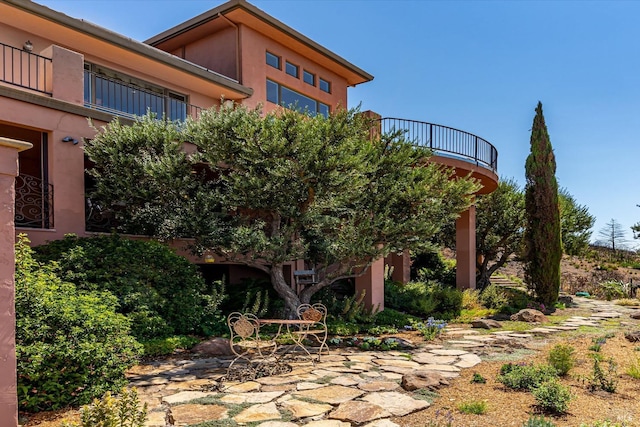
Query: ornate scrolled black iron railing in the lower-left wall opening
x=34, y=202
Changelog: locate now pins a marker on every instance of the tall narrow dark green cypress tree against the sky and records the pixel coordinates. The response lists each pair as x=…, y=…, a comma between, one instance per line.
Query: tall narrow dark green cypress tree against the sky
x=542, y=234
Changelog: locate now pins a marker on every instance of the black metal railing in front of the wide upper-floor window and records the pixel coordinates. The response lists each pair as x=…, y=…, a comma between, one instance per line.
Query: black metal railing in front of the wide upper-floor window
x=116, y=97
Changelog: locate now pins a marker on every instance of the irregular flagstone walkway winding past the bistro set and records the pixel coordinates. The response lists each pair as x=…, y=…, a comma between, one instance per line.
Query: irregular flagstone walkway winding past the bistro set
x=347, y=388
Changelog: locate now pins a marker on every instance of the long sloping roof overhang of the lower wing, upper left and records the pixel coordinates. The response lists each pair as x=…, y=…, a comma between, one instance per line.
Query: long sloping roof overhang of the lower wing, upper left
x=84, y=37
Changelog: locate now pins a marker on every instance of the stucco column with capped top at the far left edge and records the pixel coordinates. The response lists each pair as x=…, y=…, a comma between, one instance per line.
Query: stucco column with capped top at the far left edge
x=9, y=149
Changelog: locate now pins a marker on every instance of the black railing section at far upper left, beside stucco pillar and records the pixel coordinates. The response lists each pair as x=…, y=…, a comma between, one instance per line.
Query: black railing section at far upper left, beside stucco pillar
x=24, y=69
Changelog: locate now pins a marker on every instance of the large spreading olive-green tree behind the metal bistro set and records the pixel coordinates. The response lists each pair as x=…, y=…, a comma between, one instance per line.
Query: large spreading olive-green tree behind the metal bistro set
x=263, y=189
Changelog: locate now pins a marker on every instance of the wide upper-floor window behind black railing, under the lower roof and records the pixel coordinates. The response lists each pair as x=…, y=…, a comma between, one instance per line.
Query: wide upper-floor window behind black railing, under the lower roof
x=110, y=91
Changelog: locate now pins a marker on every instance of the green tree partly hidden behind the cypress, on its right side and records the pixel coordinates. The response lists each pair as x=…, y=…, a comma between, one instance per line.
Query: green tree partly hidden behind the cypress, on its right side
x=575, y=224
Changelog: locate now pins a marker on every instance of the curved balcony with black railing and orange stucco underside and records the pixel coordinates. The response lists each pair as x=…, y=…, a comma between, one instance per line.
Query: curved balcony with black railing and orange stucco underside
x=464, y=151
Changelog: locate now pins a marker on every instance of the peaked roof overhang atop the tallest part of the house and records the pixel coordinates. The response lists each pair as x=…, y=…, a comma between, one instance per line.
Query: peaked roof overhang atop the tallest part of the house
x=242, y=12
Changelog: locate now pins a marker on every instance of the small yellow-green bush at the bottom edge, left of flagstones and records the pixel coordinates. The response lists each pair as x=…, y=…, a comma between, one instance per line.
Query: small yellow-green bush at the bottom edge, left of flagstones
x=122, y=411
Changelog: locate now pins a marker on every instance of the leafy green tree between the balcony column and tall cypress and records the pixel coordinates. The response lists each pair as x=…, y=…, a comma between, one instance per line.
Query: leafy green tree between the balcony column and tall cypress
x=500, y=223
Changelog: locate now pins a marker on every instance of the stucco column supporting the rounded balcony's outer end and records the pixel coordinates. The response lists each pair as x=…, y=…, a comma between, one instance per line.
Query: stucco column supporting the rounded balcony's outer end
x=466, y=249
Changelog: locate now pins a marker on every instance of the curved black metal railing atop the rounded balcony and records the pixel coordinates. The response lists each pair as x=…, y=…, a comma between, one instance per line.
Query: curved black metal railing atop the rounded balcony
x=446, y=141
